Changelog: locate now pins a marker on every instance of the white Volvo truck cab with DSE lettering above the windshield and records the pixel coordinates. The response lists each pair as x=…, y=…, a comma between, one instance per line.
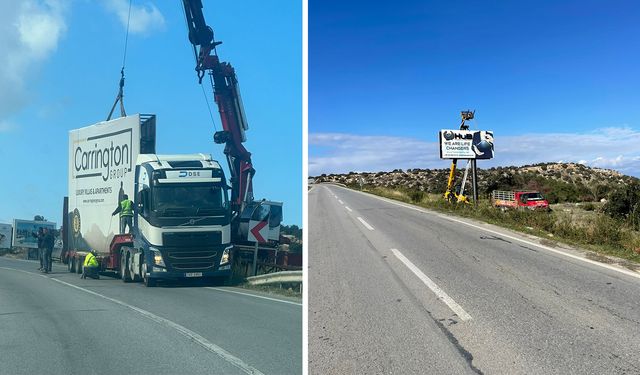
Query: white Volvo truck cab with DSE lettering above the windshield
x=181, y=220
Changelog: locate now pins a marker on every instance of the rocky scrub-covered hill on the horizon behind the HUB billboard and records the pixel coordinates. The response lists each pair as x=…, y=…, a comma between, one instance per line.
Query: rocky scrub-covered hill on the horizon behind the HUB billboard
x=559, y=182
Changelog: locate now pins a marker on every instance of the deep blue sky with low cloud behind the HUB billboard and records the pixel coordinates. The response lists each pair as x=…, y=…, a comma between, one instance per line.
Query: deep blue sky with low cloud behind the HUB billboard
x=555, y=81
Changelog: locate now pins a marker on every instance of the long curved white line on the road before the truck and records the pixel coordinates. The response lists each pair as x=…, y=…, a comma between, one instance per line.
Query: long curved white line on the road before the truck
x=235, y=361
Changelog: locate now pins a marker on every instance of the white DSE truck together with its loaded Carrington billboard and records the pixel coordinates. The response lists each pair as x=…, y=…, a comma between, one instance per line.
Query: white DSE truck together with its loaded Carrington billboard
x=182, y=219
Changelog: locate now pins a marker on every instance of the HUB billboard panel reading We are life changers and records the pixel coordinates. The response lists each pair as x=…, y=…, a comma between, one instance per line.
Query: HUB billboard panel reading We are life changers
x=466, y=144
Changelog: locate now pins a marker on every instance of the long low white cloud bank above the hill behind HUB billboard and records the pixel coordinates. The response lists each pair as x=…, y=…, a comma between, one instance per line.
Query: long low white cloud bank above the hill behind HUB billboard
x=614, y=148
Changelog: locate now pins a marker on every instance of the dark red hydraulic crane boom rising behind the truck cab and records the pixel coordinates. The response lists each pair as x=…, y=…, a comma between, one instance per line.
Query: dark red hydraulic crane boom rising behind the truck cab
x=227, y=97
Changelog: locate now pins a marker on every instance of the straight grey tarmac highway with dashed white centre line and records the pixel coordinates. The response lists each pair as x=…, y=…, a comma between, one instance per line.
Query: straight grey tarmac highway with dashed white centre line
x=394, y=289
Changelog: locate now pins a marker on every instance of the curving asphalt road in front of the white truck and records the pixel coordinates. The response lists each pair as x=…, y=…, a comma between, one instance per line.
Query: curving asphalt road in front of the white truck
x=59, y=324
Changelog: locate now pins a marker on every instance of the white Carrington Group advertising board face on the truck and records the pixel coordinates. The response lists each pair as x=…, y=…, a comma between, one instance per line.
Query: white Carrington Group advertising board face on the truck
x=102, y=160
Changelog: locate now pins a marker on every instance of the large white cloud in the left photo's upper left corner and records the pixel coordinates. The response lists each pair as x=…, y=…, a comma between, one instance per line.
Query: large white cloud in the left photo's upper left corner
x=29, y=33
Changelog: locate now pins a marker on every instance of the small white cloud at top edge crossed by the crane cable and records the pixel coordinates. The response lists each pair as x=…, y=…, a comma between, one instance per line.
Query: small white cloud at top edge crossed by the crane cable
x=144, y=18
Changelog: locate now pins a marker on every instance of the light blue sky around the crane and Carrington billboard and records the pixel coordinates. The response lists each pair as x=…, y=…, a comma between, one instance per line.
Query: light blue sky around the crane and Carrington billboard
x=60, y=66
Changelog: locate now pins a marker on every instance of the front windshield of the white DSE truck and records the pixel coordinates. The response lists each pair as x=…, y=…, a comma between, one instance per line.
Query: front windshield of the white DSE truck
x=188, y=200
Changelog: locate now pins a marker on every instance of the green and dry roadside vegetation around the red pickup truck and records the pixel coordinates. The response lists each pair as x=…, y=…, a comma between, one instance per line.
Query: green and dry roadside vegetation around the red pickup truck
x=608, y=228
